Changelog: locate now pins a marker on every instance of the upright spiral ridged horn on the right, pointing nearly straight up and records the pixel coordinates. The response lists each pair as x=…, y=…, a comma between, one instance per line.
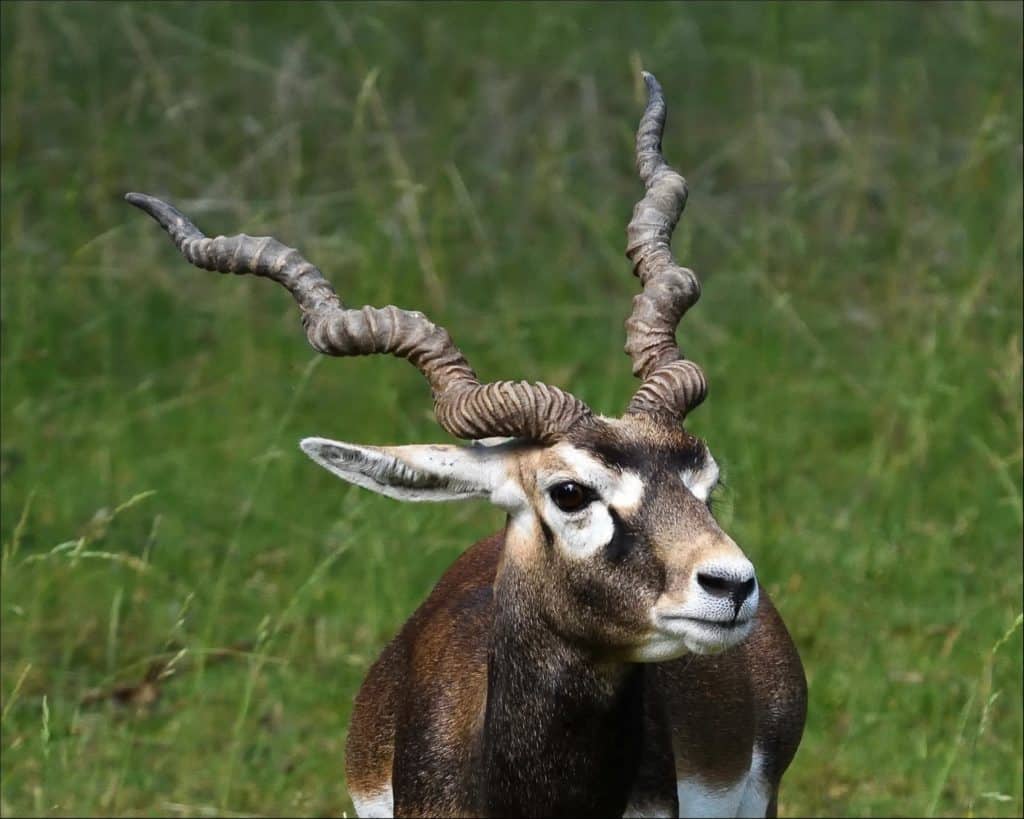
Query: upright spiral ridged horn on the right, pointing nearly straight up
x=672, y=386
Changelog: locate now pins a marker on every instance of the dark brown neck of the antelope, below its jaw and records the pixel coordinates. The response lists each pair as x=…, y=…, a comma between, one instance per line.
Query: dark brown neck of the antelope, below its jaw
x=562, y=732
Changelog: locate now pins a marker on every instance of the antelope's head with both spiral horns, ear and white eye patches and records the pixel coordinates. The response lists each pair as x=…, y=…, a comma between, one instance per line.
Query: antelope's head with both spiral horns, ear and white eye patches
x=610, y=525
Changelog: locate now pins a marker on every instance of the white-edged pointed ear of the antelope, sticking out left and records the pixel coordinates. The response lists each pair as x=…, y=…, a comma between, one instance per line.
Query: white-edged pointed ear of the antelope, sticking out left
x=426, y=472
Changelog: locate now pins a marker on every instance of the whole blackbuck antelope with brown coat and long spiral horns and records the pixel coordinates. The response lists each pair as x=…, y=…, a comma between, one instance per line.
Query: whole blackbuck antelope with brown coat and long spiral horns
x=610, y=652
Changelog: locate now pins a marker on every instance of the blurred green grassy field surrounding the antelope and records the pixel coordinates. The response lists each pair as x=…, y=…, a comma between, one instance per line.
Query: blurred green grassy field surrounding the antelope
x=189, y=605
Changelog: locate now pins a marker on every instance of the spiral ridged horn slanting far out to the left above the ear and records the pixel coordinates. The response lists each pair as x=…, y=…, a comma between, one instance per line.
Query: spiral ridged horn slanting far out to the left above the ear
x=464, y=407
